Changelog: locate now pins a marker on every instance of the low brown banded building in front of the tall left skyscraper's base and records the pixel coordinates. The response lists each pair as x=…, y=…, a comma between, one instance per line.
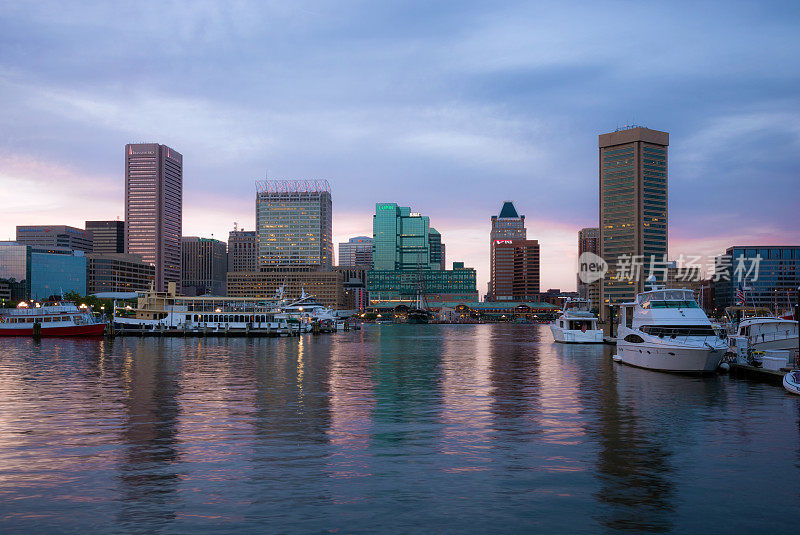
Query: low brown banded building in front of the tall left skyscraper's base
x=117, y=272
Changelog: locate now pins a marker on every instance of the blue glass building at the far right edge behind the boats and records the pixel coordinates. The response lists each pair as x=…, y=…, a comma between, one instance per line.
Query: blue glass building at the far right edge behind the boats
x=768, y=276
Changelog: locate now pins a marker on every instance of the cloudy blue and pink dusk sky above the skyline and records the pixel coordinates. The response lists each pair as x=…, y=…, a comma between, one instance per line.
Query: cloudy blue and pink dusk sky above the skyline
x=448, y=107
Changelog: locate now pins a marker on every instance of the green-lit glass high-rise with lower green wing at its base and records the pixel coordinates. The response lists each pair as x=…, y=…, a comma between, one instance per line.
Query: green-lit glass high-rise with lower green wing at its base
x=407, y=260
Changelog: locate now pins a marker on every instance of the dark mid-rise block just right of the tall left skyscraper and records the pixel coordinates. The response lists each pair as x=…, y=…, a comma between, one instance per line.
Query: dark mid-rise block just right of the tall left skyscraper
x=204, y=265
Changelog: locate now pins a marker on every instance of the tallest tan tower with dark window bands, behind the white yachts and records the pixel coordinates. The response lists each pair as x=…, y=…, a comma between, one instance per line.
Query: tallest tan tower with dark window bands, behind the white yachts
x=633, y=211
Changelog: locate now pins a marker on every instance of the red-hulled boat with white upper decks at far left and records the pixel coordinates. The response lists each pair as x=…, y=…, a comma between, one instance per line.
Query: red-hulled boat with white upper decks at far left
x=56, y=319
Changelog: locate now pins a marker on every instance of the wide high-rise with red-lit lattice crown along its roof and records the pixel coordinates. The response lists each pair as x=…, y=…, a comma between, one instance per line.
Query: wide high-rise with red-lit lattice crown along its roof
x=294, y=224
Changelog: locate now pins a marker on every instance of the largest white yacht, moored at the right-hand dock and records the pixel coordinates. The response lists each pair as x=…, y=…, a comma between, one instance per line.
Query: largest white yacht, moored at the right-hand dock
x=667, y=330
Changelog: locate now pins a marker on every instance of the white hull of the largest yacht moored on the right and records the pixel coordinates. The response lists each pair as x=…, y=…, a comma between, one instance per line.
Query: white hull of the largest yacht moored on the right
x=671, y=359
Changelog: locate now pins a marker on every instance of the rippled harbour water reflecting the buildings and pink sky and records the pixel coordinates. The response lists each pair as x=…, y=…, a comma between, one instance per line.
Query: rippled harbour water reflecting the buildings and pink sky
x=473, y=428
